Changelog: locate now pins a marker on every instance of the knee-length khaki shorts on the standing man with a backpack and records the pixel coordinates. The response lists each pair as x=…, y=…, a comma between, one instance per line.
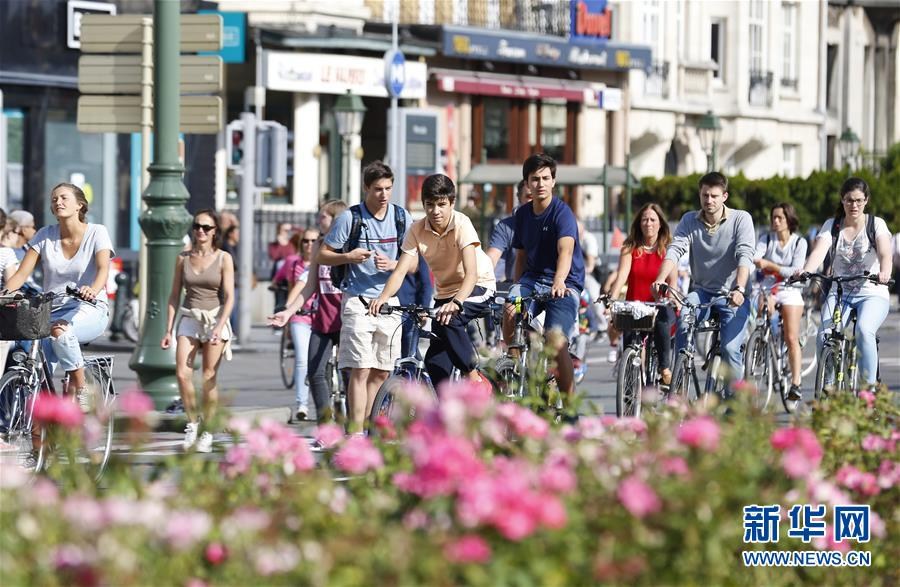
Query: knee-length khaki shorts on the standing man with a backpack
x=368, y=342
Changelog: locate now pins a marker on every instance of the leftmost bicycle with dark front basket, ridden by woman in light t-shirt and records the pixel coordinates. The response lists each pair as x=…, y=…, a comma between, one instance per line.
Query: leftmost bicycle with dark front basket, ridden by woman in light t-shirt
x=30, y=374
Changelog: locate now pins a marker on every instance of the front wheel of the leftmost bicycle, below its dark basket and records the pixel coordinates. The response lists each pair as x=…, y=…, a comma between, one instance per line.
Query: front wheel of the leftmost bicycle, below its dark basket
x=22, y=446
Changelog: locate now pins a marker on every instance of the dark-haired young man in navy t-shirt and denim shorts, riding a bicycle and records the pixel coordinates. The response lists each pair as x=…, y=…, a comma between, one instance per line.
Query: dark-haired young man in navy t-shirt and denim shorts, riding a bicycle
x=548, y=260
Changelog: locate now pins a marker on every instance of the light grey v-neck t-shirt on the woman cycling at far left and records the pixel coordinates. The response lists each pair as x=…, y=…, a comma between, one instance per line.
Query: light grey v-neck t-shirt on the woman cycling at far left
x=81, y=269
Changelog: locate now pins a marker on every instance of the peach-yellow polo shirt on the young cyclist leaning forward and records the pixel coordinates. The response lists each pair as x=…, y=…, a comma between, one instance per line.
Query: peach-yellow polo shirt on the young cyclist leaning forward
x=443, y=253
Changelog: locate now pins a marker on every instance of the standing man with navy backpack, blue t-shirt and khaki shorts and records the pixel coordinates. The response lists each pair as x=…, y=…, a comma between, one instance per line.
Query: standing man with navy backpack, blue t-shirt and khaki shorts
x=362, y=247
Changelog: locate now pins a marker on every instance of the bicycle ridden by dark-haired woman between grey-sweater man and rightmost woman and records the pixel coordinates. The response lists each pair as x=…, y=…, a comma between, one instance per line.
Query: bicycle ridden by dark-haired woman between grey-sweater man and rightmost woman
x=765, y=357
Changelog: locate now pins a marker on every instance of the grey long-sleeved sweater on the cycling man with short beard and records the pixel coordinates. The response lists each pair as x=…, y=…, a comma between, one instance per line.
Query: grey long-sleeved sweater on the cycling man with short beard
x=715, y=254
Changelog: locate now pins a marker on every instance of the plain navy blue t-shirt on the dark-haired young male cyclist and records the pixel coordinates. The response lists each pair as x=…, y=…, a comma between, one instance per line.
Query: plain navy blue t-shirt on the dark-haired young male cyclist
x=539, y=235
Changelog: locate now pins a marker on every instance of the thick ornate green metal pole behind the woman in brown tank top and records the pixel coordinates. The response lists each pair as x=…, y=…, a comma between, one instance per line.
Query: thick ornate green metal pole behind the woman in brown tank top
x=165, y=221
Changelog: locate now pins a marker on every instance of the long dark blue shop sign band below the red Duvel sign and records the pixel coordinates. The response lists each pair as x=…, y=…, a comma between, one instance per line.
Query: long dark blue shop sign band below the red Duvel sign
x=467, y=43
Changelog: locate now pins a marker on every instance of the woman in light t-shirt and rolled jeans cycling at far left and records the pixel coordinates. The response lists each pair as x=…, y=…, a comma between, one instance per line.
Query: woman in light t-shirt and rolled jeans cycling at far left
x=72, y=253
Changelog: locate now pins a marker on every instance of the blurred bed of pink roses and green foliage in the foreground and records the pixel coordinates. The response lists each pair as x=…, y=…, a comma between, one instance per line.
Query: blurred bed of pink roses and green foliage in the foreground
x=471, y=492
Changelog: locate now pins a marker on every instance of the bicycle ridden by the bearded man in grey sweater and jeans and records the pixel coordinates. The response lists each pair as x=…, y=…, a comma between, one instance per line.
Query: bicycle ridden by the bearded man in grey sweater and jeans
x=684, y=372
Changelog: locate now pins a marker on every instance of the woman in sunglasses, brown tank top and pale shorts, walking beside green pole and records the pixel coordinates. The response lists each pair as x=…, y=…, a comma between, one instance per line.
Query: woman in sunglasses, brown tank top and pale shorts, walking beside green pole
x=206, y=274
